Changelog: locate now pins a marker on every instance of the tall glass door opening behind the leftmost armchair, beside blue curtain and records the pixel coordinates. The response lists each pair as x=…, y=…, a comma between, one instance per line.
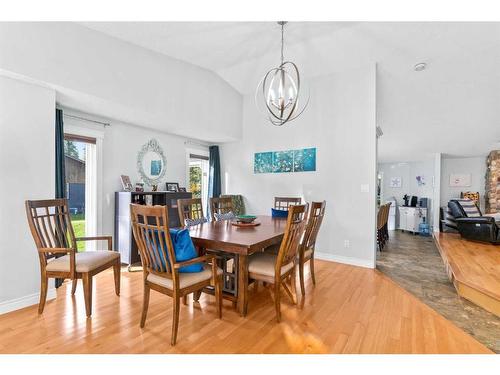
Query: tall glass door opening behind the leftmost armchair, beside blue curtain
x=80, y=171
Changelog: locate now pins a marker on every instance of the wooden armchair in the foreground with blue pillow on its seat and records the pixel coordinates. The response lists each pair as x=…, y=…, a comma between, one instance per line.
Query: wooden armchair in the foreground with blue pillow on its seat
x=160, y=267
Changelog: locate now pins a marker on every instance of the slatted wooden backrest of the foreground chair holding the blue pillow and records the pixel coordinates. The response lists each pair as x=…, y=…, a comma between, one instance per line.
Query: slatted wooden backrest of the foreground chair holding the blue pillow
x=152, y=235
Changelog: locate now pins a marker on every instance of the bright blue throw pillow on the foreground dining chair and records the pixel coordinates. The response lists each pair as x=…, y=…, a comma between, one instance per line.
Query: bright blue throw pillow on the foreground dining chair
x=183, y=248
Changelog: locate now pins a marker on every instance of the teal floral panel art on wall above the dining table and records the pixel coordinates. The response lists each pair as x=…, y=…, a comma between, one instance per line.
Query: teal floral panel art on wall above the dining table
x=303, y=160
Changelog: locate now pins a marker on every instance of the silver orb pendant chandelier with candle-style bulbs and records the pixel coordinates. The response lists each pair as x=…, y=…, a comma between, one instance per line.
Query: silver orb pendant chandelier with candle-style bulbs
x=277, y=94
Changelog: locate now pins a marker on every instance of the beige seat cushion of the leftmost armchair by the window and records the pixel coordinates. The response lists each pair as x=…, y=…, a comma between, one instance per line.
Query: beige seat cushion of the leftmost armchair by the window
x=85, y=262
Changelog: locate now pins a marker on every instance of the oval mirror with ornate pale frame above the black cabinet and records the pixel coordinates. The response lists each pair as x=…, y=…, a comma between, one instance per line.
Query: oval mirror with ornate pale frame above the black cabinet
x=151, y=163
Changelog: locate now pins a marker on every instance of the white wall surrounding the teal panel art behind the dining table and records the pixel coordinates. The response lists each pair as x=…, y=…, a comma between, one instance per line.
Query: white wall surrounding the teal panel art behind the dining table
x=340, y=123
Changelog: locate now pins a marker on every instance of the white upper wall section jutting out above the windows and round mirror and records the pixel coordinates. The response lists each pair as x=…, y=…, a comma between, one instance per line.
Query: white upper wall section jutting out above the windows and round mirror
x=100, y=74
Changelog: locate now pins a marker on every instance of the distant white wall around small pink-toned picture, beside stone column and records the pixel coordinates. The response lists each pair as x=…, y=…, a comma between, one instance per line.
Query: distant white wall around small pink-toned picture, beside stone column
x=476, y=166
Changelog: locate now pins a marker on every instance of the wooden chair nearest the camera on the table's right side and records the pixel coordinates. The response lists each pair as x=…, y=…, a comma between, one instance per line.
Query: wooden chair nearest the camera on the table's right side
x=277, y=269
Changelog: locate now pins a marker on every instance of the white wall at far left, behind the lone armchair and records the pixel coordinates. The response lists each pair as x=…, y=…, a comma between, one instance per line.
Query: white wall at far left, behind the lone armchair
x=27, y=117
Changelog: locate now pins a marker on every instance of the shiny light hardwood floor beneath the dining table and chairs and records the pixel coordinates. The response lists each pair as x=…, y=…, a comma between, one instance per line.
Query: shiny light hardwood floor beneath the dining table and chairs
x=351, y=310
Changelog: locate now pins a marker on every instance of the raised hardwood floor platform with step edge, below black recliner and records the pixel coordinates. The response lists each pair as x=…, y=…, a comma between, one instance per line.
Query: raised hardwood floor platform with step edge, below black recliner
x=474, y=269
